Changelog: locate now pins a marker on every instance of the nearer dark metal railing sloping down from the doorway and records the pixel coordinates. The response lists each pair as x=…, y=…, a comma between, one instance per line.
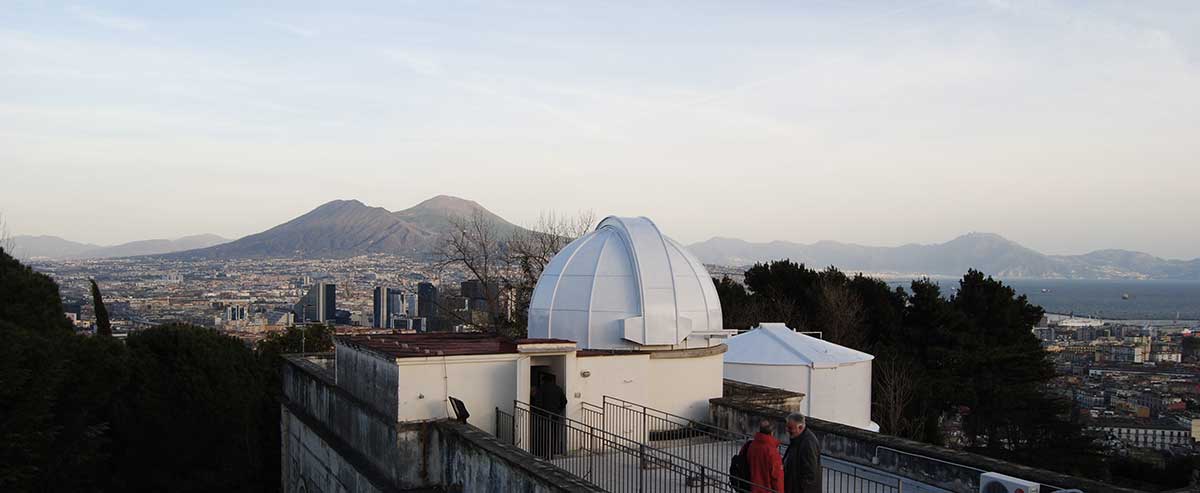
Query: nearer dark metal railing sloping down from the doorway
x=610, y=461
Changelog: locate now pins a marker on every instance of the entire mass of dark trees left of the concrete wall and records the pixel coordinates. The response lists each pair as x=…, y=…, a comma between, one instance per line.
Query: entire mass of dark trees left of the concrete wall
x=175, y=408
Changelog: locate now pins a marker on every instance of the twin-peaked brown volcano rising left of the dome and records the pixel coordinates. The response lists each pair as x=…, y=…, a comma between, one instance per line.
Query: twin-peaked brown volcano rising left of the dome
x=349, y=229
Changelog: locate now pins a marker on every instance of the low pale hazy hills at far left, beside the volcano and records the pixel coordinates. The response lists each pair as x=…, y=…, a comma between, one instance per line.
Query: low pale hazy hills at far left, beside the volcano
x=59, y=249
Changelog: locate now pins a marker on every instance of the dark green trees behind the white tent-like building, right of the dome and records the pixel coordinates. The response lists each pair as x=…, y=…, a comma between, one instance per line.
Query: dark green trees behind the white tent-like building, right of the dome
x=971, y=354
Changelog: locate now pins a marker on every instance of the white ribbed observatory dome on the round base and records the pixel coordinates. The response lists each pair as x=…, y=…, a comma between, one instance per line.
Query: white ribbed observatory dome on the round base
x=625, y=286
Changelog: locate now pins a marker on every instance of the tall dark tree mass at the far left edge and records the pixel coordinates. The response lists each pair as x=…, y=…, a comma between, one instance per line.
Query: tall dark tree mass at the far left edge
x=56, y=390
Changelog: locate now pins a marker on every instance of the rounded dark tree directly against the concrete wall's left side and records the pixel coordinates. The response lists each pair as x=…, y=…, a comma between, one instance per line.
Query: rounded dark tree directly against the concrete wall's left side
x=194, y=414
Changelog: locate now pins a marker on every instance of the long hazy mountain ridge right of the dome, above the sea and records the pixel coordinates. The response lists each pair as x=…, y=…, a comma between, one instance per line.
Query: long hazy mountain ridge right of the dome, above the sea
x=991, y=254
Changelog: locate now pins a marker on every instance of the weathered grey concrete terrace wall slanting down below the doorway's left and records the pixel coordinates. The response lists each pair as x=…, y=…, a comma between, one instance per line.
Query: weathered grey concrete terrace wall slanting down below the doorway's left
x=334, y=442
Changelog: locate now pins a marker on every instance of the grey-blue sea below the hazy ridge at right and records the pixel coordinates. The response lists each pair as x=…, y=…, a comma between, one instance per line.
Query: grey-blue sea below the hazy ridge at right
x=1136, y=302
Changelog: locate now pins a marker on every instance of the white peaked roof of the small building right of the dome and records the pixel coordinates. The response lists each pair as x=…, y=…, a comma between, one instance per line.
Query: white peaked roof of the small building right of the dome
x=778, y=345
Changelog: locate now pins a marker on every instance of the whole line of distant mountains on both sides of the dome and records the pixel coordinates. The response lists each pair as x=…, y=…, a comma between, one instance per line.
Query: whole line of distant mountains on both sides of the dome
x=349, y=229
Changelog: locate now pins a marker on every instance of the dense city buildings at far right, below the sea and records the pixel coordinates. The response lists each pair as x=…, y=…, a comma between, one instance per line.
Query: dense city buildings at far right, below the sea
x=1135, y=387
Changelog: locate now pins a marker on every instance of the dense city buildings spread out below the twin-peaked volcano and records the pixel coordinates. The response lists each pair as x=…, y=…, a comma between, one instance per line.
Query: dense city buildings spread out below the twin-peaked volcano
x=248, y=298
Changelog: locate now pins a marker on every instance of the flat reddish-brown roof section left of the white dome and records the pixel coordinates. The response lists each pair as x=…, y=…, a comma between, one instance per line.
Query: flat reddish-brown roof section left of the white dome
x=433, y=345
